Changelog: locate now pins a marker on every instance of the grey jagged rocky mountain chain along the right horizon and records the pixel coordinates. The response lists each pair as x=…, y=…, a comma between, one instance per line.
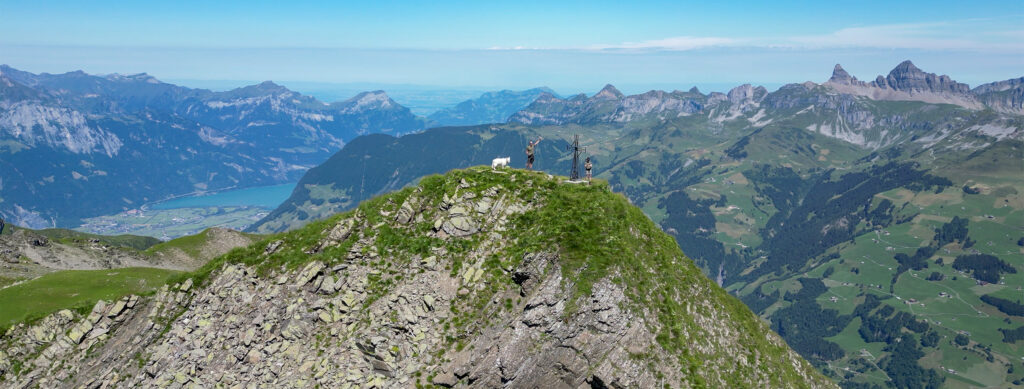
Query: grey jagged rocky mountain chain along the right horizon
x=906, y=82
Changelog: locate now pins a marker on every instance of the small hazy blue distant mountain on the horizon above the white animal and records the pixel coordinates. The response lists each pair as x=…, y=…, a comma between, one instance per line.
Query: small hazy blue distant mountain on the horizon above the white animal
x=490, y=108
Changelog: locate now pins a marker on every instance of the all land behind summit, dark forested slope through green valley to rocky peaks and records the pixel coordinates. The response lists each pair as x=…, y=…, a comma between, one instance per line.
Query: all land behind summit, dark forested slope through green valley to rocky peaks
x=878, y=227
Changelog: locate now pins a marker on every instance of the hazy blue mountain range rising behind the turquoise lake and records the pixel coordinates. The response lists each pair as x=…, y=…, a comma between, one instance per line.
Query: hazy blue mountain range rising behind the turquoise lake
x=75, y=146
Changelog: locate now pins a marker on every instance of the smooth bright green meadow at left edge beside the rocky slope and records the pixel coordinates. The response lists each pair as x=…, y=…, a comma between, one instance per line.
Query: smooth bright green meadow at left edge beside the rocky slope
x=75, y=289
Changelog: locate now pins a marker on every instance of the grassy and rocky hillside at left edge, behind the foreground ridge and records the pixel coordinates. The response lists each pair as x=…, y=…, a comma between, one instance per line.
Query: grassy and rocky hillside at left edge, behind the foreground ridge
x=53, y=270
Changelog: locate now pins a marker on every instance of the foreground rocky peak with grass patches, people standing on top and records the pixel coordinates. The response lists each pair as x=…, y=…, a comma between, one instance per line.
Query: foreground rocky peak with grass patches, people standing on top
x=472, y=279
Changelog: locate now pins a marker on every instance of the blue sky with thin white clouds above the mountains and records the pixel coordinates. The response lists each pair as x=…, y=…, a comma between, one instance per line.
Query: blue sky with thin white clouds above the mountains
x=571, y=47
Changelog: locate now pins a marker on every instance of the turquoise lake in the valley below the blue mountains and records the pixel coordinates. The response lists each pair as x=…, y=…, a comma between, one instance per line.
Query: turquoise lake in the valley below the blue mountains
x=267, y=197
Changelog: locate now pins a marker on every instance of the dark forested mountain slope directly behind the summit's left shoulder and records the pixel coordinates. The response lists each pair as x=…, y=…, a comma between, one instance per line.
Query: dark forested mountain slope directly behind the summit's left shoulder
x=378, y=164
